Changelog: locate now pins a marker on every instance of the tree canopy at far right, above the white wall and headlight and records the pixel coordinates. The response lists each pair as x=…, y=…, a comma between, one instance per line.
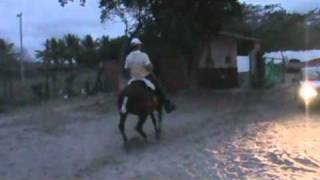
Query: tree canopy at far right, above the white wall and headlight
x=279, y=29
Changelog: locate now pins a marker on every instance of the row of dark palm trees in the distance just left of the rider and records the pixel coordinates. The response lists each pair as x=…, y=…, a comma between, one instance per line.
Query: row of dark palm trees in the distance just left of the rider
x=86, y=52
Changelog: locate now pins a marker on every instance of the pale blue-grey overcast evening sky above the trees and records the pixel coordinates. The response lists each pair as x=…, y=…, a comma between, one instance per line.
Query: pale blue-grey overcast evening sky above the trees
x=46, y=18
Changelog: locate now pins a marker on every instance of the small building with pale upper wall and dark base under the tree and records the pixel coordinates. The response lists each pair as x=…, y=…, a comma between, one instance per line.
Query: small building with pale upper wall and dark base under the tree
x=217, y=66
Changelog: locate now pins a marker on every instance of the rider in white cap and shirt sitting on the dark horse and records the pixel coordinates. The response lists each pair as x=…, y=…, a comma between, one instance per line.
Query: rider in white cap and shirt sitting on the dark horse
x=140, y=67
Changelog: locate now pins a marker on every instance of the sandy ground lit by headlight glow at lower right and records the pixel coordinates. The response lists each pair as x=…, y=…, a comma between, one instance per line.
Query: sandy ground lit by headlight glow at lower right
x=213, y=135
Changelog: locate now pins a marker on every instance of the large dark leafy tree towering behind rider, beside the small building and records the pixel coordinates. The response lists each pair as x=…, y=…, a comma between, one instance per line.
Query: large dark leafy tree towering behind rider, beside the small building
x=181, y=24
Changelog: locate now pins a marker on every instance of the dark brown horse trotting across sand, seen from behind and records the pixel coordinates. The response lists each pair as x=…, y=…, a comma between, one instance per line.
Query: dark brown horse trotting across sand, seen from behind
x=140, y=100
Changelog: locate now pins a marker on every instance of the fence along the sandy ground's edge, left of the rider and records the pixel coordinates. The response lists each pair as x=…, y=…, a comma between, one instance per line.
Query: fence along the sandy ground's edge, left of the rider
x=46, y=84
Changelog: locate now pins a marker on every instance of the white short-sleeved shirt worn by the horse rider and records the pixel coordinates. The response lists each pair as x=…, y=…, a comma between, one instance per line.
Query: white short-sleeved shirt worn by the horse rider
x=136, y=62
